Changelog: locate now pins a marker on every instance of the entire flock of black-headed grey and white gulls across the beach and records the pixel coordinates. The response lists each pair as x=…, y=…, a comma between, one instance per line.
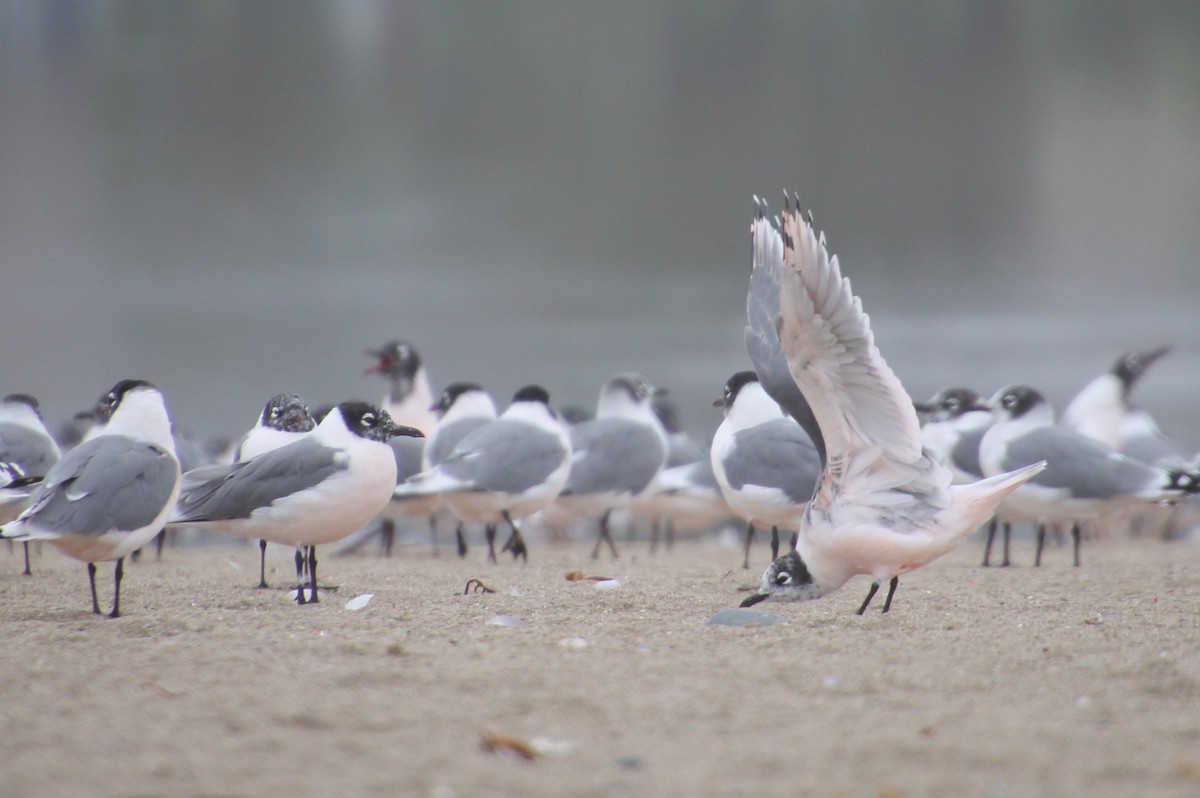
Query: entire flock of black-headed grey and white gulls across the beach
x=819, y=440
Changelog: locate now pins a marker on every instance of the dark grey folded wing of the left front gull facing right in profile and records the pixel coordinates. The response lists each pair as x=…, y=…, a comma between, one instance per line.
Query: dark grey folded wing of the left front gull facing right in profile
x=233, y=491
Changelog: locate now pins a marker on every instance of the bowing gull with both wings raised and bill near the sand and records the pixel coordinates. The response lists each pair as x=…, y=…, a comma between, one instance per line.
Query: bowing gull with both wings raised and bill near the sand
x=883, y=506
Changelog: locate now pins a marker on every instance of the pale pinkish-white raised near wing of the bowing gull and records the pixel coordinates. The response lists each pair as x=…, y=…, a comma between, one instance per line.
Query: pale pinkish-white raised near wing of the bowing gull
x=859, y=403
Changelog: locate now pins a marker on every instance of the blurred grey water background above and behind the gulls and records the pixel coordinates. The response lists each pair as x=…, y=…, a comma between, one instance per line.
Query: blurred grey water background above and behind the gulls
x=235, y=200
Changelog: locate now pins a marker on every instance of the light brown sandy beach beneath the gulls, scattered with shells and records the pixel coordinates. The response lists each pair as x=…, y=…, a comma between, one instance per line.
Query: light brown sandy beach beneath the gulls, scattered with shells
x=981, y=682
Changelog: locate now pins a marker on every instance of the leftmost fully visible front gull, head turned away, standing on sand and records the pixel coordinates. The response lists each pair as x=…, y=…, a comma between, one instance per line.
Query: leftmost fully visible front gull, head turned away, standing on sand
x=110, y=496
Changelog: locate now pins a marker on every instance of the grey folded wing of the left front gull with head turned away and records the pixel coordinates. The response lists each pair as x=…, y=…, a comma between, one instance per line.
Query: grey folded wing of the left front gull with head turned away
x=107, y=484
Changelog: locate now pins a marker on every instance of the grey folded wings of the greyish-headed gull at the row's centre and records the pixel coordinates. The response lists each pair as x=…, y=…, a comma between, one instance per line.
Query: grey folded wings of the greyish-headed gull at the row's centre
x=617, y=457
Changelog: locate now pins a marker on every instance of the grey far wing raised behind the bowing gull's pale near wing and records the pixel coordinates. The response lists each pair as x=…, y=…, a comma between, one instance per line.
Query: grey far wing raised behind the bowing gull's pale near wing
x=763, y=326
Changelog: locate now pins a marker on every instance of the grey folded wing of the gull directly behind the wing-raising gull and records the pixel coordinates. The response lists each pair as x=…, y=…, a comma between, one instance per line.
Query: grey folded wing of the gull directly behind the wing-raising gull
x=777, y=454
